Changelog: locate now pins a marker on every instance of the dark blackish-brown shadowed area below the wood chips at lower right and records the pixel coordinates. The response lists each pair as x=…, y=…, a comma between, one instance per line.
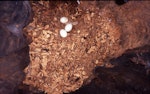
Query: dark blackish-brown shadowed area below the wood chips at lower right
x=126, y=77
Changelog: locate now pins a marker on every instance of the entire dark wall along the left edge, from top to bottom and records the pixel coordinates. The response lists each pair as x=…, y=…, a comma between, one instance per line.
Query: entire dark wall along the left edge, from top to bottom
x=14, y=49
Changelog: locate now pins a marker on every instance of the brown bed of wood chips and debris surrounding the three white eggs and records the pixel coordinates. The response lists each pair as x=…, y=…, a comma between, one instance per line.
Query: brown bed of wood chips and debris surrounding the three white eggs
x=104, y=31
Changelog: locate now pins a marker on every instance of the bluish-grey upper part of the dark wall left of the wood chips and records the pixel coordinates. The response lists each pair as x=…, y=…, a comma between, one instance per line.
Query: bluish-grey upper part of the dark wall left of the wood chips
x=14, y=17
